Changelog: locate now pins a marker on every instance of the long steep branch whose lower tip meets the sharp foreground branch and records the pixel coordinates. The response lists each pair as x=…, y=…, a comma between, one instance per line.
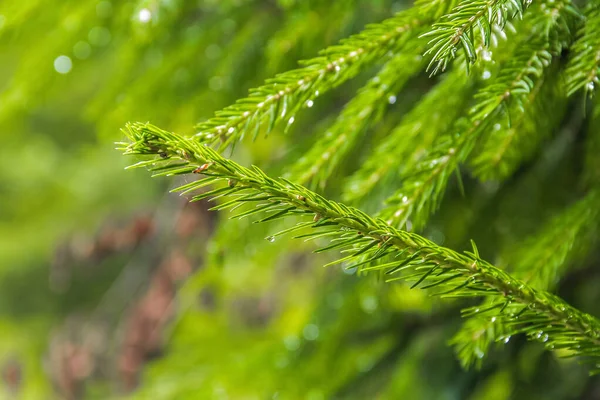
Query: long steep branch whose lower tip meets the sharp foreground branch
x=425, y=183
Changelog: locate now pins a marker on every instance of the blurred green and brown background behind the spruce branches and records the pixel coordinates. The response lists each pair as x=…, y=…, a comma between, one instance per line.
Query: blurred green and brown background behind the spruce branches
x=112, y=288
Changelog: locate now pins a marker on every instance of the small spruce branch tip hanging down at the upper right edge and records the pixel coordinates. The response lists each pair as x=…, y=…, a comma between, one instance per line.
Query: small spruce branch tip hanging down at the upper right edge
x=583, y=68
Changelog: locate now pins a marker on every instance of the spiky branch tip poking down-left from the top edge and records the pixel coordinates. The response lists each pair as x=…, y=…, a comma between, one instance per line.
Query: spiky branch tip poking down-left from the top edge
x=457, y=29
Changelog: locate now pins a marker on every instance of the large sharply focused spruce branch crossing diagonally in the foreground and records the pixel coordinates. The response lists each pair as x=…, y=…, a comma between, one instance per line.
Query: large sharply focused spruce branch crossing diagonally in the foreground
x=368, y=243
